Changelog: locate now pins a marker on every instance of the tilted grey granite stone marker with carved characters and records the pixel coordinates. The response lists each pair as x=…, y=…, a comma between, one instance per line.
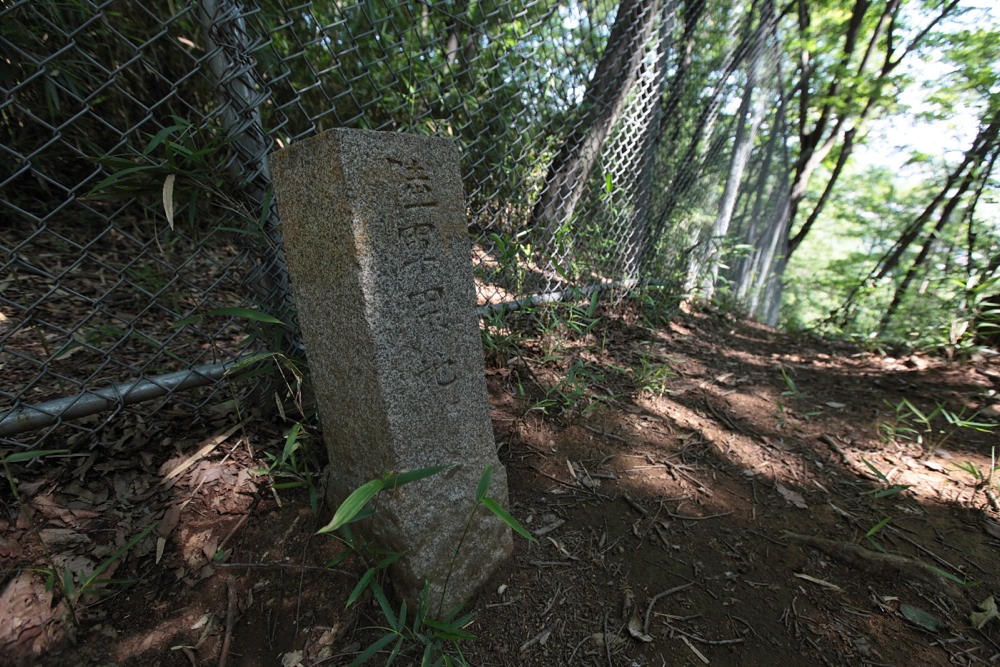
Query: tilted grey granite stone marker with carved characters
x=380, y=261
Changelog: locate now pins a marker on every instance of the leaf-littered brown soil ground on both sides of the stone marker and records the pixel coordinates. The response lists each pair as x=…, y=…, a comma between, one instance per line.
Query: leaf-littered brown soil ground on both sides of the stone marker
x=705, y=491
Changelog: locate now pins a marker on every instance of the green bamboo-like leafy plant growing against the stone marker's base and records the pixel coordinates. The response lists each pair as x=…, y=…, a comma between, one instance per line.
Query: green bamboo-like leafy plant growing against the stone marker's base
x=430, y=634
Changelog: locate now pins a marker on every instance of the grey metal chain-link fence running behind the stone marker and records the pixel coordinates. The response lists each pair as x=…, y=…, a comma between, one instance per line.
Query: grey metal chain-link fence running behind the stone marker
x=606, y=143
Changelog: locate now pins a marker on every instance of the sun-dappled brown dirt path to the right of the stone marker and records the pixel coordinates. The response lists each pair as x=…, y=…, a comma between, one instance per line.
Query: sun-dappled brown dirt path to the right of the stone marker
x=758, y=490
